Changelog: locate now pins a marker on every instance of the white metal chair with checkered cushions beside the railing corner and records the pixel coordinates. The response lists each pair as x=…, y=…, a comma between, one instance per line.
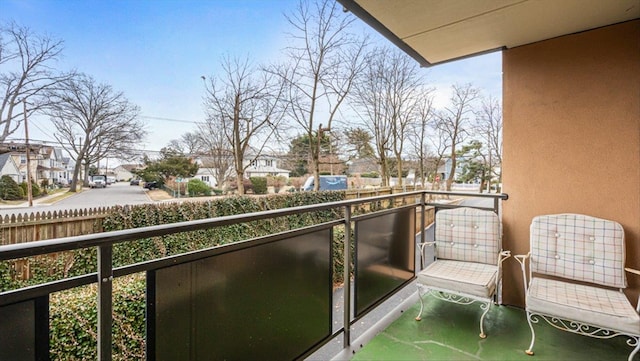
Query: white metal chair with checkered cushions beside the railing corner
x=468, y=259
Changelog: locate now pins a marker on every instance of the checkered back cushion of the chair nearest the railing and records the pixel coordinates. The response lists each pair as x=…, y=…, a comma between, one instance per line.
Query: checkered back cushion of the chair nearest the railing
x=467, y=234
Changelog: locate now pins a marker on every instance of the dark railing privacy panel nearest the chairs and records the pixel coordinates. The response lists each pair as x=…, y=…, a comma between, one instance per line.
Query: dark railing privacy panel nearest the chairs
x=385, y=256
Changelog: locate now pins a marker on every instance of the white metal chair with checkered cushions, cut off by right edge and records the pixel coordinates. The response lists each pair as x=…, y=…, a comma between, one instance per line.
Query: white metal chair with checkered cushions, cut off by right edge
x=576, y=278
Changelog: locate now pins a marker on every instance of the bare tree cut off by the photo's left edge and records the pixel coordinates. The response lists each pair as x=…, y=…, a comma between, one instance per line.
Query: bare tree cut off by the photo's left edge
x=26, y=73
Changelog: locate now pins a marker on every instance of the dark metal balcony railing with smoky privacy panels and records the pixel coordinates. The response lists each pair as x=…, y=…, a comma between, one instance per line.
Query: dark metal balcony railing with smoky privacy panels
x=269, y=297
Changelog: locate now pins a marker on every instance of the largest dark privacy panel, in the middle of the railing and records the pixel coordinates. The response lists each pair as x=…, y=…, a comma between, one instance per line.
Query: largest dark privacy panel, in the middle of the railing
x=265, y=302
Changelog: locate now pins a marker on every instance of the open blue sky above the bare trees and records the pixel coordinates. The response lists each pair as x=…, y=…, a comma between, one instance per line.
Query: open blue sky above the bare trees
x=156, y=51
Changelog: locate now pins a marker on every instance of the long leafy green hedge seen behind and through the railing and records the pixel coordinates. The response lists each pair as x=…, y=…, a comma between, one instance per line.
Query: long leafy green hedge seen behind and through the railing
x=73, y=332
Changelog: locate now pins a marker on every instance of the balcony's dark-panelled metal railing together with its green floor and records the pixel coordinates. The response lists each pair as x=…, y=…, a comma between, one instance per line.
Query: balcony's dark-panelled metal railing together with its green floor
x=274, y=296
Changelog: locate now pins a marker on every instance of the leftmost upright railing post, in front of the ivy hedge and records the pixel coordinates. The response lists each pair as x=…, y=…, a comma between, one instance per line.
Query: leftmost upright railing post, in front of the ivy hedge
x=105, y=301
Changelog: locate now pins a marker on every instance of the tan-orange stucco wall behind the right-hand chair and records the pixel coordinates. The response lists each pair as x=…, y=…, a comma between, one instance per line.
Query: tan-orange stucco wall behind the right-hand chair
x=572, y=137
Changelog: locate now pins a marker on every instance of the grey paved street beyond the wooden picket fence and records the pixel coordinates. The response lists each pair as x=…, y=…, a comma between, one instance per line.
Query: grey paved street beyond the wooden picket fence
x=116, y=194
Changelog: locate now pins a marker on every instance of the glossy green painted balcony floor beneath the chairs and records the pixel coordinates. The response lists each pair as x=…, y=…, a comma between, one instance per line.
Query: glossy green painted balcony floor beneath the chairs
x=450, y=332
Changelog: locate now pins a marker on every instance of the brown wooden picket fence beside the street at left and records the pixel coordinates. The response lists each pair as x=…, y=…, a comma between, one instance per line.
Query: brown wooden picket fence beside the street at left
x=29, y=227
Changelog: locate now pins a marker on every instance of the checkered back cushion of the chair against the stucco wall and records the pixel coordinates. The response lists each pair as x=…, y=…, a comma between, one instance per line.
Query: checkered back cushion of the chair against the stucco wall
x=578, y=247
